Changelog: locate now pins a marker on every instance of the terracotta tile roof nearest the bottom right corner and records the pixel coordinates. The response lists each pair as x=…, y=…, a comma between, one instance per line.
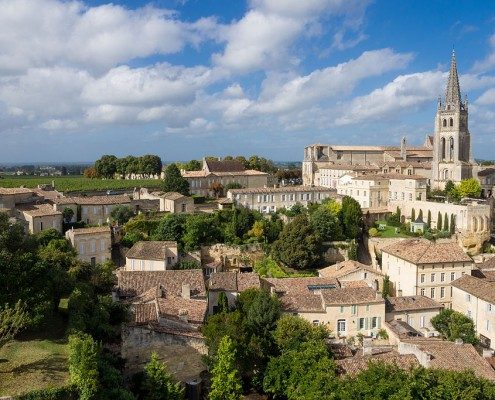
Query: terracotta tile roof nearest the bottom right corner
x=454, y=357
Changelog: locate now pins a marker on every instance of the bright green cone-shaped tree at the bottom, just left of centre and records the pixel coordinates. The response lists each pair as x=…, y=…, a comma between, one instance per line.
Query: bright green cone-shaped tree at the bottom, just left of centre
x=226, y=382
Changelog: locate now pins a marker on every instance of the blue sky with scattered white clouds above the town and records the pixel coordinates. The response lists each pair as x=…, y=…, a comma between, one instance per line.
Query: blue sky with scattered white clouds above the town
x=188, y=78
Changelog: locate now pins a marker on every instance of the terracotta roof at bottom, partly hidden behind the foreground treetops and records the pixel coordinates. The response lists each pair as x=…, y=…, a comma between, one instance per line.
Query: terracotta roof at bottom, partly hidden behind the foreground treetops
x=358, y=363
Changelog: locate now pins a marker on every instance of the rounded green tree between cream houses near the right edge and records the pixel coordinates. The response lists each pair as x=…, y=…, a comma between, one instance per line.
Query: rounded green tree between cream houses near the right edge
x=453, y=325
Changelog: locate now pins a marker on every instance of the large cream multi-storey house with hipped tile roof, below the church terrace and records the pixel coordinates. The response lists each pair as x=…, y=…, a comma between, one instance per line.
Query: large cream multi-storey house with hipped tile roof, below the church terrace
x=418, y=267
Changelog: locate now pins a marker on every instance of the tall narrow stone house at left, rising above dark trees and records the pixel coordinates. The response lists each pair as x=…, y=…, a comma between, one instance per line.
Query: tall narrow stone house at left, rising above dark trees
x=93, y=245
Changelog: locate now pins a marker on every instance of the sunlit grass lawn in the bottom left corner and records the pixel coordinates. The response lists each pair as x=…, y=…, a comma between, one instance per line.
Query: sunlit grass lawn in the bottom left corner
x=36, y=360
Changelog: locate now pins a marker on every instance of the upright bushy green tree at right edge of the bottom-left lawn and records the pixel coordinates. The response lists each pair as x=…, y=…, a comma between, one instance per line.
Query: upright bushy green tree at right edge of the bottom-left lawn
x=83, y=365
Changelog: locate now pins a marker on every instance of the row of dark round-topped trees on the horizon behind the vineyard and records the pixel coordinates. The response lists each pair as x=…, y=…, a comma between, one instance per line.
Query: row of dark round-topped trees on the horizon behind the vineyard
x=109, y=165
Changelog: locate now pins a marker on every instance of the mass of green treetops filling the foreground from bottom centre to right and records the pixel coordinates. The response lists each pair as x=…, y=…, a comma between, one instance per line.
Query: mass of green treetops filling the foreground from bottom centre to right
x=286, y=357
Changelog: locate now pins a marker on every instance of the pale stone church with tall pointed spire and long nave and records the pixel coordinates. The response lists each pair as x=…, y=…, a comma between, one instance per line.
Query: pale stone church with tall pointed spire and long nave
x=445, y=155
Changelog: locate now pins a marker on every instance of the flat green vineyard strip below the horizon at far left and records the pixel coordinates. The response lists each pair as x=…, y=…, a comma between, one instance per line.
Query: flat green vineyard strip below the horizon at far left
x=77, y=183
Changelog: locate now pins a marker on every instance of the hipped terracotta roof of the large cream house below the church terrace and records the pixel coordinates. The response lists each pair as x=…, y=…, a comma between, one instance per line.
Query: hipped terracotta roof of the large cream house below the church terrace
x=422, y=251
